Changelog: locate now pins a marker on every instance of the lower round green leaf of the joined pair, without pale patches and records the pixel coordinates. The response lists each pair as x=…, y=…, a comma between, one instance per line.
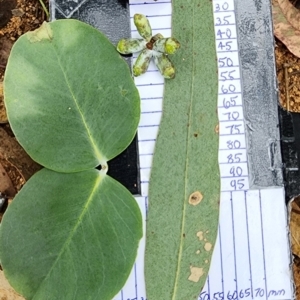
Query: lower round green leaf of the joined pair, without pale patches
x=79, y=241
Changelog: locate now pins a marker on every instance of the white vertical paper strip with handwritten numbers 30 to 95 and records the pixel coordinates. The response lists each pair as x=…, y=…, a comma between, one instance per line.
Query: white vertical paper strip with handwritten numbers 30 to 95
x=232, y=155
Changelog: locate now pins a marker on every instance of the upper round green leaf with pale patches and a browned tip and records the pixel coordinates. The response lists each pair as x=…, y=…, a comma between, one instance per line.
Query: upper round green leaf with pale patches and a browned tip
x=70, y=98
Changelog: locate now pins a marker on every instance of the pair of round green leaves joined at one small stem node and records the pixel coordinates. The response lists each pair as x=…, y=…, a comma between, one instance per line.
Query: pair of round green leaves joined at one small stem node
x=72, y=232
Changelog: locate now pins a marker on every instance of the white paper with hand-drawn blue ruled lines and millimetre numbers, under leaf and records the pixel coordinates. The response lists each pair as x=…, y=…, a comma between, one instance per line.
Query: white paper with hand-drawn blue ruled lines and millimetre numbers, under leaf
x=251, y=257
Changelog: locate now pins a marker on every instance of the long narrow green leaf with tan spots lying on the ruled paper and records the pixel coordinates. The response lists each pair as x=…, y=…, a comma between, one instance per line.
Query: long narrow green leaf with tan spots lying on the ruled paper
x=184, y=187
